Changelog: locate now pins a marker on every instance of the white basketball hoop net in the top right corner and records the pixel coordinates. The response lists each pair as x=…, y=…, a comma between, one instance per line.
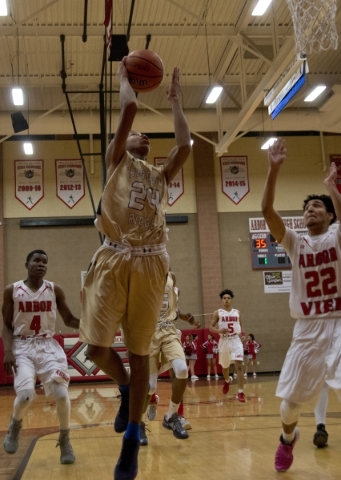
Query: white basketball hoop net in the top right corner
x=314, y=24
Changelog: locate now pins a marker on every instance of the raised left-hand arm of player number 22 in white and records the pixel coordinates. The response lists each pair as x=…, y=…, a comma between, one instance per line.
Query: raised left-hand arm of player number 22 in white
x=276, y=156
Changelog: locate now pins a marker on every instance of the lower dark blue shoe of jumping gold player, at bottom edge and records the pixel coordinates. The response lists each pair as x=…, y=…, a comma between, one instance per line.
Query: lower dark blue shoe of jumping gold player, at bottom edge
x=127, y=466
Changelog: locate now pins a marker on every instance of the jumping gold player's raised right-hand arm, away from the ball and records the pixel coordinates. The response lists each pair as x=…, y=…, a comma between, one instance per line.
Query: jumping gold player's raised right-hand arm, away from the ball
x=181, y=151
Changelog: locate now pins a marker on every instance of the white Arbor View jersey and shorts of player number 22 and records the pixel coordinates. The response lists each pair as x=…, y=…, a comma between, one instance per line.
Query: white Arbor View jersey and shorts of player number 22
x=314, y=356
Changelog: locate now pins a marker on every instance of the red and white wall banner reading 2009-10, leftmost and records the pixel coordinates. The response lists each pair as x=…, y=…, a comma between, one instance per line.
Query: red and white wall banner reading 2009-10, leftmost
x=29, y=186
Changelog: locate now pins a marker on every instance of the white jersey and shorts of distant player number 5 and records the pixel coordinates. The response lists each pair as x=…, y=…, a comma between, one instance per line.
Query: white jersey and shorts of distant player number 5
x=230, y=346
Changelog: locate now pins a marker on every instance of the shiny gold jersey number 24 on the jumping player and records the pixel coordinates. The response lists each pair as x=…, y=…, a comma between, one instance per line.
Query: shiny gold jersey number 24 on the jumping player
x=133, y=203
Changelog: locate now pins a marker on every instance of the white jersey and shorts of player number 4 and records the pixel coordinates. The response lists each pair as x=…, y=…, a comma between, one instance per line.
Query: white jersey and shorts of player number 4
x=35, y=350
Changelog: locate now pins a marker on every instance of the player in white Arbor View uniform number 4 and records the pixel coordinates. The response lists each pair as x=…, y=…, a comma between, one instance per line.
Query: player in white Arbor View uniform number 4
x=29, y=316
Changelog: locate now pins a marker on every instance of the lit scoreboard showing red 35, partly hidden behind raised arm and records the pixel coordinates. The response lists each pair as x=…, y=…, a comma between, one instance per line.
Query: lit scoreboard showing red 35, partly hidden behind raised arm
x=266, y=253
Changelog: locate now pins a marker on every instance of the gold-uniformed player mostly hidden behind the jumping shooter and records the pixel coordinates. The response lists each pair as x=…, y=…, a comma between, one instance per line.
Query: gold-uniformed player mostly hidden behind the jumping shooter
x=166, y=342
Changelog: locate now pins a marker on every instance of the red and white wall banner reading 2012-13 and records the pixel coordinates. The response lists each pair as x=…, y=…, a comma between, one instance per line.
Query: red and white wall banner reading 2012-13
x=70, y=181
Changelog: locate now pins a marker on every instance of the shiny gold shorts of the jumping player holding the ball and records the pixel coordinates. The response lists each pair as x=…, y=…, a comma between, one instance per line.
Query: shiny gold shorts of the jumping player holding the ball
x=124, y=290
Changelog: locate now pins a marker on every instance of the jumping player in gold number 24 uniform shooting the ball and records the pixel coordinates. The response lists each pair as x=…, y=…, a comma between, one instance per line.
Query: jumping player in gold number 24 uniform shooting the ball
x=127, y=276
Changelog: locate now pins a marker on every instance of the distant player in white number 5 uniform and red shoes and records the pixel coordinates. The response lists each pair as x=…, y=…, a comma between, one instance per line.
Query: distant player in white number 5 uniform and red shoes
x=227, y=322
